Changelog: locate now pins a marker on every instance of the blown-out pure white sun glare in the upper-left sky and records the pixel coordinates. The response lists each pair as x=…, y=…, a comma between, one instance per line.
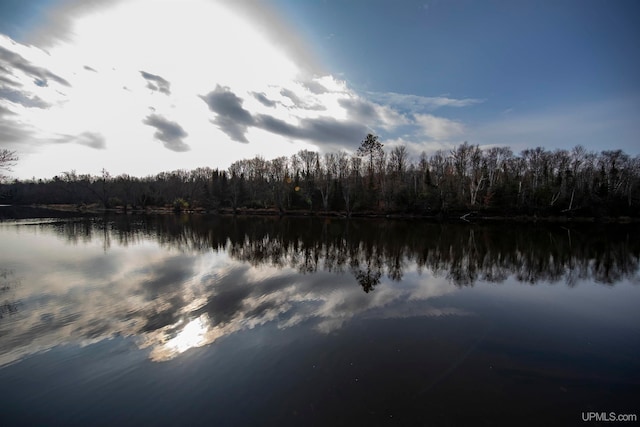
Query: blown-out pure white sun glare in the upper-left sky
x=194, y=45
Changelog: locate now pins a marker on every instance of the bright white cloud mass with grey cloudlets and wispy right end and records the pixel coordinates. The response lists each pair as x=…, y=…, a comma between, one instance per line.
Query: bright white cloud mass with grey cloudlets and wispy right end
x=97, y=92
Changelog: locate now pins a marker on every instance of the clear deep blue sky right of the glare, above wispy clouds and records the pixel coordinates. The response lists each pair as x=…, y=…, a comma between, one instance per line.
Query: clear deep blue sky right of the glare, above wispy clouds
x=523, y=55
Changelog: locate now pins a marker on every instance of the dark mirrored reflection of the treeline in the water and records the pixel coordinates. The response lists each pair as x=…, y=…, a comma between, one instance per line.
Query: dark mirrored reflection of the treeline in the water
x=369, y=249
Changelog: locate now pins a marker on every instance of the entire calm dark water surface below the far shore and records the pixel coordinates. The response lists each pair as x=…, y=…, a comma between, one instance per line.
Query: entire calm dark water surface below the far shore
x=203, y=320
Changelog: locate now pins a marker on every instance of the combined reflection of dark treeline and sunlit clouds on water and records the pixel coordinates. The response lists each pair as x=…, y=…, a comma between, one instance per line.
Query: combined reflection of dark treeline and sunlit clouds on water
x=175, y=283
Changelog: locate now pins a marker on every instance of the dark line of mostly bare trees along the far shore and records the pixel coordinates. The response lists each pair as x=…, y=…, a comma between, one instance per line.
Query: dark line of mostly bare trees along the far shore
x=491, y=181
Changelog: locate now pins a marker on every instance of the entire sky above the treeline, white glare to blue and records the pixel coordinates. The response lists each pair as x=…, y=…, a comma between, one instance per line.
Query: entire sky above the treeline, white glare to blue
x=145, y=86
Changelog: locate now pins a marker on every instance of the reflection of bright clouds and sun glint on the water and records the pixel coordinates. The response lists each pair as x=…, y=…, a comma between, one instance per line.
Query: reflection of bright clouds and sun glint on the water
x=170, y=300
